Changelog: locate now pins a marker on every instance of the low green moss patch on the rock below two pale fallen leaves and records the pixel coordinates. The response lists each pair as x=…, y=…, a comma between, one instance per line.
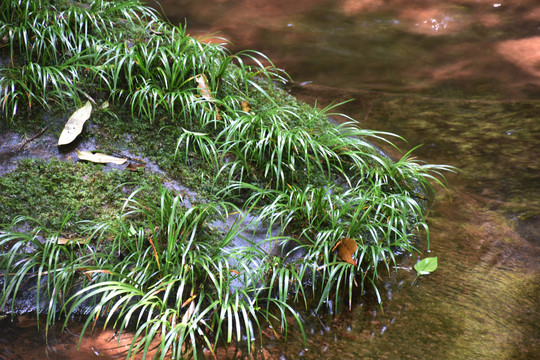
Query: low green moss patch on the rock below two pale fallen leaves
x=49, y=190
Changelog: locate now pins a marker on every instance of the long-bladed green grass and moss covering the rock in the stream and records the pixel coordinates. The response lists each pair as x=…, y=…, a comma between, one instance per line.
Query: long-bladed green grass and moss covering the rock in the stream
x=164, y=268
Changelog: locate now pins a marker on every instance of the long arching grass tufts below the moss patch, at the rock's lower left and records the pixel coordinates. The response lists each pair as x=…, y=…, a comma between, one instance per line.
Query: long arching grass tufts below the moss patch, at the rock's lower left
x=155, y=268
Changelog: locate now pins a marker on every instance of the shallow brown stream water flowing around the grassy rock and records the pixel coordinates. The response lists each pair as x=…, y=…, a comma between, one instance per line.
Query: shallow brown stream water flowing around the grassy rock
x=461, y=77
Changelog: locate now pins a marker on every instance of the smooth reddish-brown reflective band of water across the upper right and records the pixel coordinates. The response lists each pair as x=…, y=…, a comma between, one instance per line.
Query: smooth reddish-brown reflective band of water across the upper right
x=473, y=47
